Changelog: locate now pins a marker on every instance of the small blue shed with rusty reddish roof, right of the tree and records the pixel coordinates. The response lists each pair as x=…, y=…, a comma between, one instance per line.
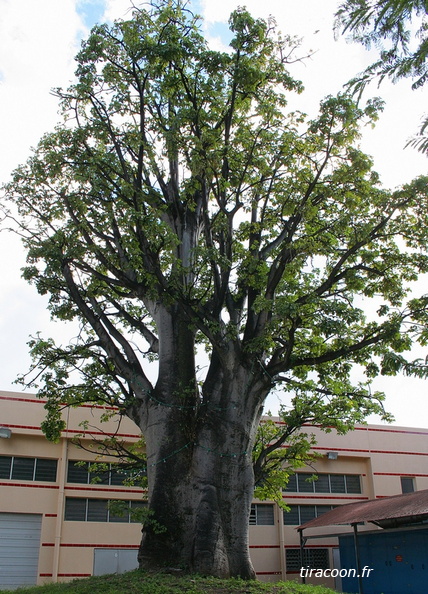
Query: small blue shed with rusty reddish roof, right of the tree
x=393, y=560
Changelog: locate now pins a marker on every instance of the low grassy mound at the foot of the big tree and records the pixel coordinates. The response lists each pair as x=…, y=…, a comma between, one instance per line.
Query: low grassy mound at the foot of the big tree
x=142, y=582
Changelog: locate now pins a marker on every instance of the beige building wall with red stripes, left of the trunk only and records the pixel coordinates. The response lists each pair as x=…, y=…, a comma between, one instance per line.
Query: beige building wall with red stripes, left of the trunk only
x=67, y=548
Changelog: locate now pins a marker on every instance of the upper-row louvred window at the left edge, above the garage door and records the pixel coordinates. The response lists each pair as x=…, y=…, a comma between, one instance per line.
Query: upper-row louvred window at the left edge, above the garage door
x=28, y=469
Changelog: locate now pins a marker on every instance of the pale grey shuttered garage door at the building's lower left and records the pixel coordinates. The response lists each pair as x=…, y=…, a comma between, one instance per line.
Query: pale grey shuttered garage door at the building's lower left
x=19, y=549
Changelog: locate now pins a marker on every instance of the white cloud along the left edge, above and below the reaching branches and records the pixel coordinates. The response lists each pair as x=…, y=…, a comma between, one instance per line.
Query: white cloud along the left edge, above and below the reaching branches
x=38, y=42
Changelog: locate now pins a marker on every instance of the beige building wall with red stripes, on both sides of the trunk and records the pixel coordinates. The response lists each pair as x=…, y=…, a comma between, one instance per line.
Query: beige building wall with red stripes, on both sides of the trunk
x=379, y=454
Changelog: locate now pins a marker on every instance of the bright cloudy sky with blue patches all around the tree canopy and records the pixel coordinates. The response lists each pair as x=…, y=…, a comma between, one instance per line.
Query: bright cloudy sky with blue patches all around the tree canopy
x=38, y=41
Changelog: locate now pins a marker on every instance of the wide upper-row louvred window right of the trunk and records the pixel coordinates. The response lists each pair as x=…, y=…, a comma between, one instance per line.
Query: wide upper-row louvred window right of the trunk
x=325, y=483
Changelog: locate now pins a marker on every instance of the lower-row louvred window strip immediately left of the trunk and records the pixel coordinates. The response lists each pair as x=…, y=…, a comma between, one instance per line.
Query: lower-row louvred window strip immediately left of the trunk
x=97, y=510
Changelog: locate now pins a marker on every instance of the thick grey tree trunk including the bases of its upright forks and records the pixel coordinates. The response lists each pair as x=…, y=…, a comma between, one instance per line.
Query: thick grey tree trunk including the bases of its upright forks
x=199, y=455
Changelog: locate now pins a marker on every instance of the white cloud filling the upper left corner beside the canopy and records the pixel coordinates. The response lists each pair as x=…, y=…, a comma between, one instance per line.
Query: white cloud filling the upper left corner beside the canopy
x=38, y=41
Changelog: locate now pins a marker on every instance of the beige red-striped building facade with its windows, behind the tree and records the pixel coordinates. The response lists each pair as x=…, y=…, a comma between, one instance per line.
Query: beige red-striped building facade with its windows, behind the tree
x=56, y=524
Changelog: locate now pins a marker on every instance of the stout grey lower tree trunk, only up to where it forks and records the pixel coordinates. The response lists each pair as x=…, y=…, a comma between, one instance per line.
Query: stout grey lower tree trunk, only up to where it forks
x=201, y=482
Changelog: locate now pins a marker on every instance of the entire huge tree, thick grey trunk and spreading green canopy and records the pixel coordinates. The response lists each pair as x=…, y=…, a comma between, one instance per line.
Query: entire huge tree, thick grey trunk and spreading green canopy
x=178, y=205
